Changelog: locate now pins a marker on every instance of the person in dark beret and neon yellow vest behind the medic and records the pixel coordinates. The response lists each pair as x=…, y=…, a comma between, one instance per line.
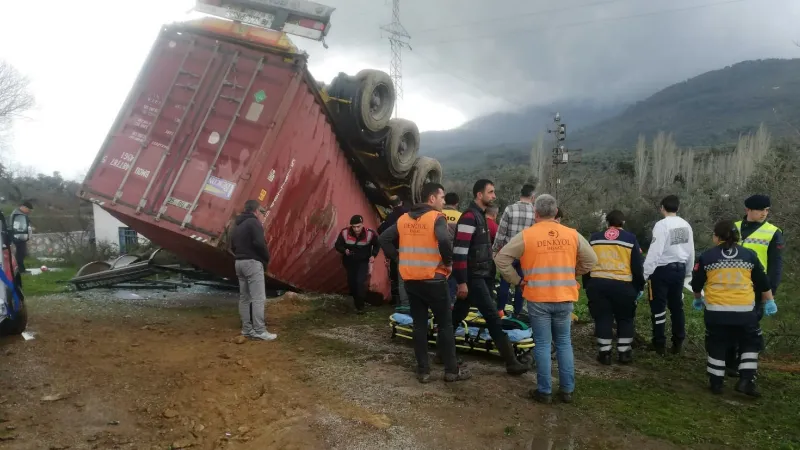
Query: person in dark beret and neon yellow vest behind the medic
x=766, y=240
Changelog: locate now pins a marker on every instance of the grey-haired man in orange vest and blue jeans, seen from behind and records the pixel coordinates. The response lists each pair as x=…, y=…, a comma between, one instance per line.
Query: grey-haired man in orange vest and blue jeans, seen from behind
x=551, y=255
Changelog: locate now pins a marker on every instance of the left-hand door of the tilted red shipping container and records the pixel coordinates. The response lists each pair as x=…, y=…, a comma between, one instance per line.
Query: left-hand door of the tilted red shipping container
x=151, y=130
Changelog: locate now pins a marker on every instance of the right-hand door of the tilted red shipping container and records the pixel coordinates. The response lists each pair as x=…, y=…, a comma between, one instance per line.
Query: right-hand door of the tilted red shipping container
x=225, y=142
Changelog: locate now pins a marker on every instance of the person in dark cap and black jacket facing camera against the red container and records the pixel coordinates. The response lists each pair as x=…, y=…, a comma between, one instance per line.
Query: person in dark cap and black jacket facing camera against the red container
x=359, y=247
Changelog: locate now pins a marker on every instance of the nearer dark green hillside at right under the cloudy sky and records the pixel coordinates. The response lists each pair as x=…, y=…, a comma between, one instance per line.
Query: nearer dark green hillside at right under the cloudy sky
x=711, y=109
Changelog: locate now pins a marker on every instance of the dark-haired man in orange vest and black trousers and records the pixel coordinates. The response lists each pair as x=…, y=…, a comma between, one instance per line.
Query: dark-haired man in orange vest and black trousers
x=421, y=244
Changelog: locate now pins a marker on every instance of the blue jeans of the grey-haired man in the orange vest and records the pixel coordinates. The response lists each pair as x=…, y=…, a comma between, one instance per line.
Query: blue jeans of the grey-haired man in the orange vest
x=551, y=324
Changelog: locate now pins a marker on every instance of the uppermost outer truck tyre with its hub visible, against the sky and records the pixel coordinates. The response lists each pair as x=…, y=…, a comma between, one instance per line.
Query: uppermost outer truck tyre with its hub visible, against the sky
x=375, y=100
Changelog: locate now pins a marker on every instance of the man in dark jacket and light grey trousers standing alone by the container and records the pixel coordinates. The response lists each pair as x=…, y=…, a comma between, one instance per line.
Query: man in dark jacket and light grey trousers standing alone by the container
x=252, y=257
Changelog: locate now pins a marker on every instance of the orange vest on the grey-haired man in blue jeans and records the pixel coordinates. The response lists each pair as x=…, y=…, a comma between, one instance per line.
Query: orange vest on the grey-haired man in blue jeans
x=548, y=263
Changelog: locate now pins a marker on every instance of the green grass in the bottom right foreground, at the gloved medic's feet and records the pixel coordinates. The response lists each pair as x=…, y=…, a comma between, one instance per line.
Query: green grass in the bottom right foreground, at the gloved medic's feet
x=679, y=409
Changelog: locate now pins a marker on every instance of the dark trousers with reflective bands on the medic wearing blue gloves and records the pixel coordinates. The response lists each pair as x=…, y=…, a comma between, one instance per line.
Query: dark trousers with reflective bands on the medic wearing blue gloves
x=720, y=337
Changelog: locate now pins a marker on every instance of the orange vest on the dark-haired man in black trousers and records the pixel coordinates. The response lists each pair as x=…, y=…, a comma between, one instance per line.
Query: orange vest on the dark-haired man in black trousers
x=419, y=249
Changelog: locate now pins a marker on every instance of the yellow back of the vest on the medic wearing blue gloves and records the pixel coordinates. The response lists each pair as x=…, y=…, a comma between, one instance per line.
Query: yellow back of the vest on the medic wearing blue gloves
x=729, y=287
